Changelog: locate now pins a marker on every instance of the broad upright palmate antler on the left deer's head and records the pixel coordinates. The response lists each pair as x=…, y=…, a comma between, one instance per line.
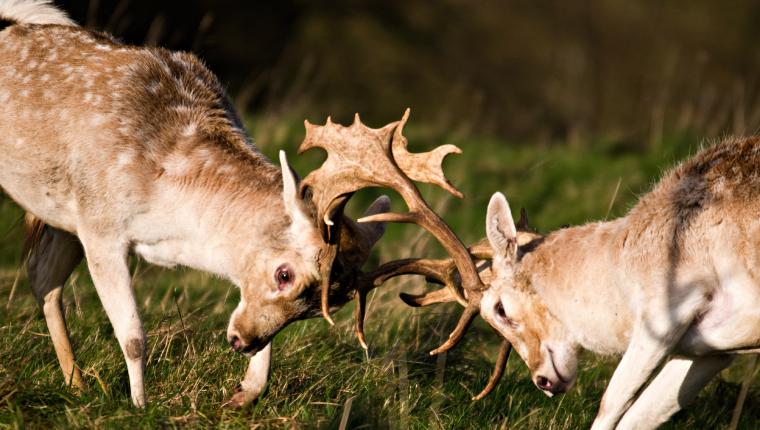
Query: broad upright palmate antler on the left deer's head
x=360, y=157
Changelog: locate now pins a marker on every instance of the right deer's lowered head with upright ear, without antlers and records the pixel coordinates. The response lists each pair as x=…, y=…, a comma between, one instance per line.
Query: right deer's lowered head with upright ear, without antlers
x=519, y=314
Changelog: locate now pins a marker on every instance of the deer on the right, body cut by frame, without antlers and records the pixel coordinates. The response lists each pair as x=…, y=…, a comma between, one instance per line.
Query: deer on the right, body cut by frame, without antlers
x=674, y=287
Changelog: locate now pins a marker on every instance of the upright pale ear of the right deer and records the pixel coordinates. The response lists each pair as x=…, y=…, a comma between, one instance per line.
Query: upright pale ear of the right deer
x=500, y=229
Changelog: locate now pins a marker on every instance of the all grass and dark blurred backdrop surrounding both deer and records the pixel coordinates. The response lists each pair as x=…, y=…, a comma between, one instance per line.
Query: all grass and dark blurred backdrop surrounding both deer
x=572, y=109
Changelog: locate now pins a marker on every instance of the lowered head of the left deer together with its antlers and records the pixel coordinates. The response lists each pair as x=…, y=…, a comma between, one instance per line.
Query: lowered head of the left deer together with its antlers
x=318, y=267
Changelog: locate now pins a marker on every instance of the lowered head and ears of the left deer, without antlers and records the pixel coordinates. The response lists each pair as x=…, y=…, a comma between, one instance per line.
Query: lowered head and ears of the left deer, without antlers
x=292, y=269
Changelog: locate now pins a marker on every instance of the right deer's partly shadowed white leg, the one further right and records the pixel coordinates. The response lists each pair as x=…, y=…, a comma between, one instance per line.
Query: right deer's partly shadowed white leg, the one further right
x=675, y=386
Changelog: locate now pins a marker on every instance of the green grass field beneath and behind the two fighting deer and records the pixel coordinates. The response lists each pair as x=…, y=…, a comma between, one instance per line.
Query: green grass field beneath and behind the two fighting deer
x=320, y=375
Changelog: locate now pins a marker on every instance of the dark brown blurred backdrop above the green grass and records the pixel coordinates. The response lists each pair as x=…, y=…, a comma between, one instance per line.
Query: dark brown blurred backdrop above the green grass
x=545, y=71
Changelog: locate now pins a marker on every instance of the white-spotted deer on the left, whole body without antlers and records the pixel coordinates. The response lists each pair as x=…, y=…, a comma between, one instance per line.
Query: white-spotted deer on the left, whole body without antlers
x=112, y=149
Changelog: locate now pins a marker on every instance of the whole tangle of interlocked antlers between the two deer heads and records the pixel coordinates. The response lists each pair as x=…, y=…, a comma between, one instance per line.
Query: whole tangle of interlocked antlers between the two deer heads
x=360, y=157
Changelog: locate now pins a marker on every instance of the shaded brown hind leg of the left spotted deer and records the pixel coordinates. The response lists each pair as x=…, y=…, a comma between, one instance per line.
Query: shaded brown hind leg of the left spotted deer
x=51, y=261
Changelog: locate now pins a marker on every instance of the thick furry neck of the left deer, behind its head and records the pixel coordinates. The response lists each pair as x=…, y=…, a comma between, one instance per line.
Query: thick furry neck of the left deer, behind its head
x=216, y=216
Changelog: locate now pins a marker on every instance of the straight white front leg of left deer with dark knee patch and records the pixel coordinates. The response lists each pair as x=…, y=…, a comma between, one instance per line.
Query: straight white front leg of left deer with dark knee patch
x=107, y=261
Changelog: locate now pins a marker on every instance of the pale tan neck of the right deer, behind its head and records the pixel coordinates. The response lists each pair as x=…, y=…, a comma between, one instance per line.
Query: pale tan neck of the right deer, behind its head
x=579, y=275
